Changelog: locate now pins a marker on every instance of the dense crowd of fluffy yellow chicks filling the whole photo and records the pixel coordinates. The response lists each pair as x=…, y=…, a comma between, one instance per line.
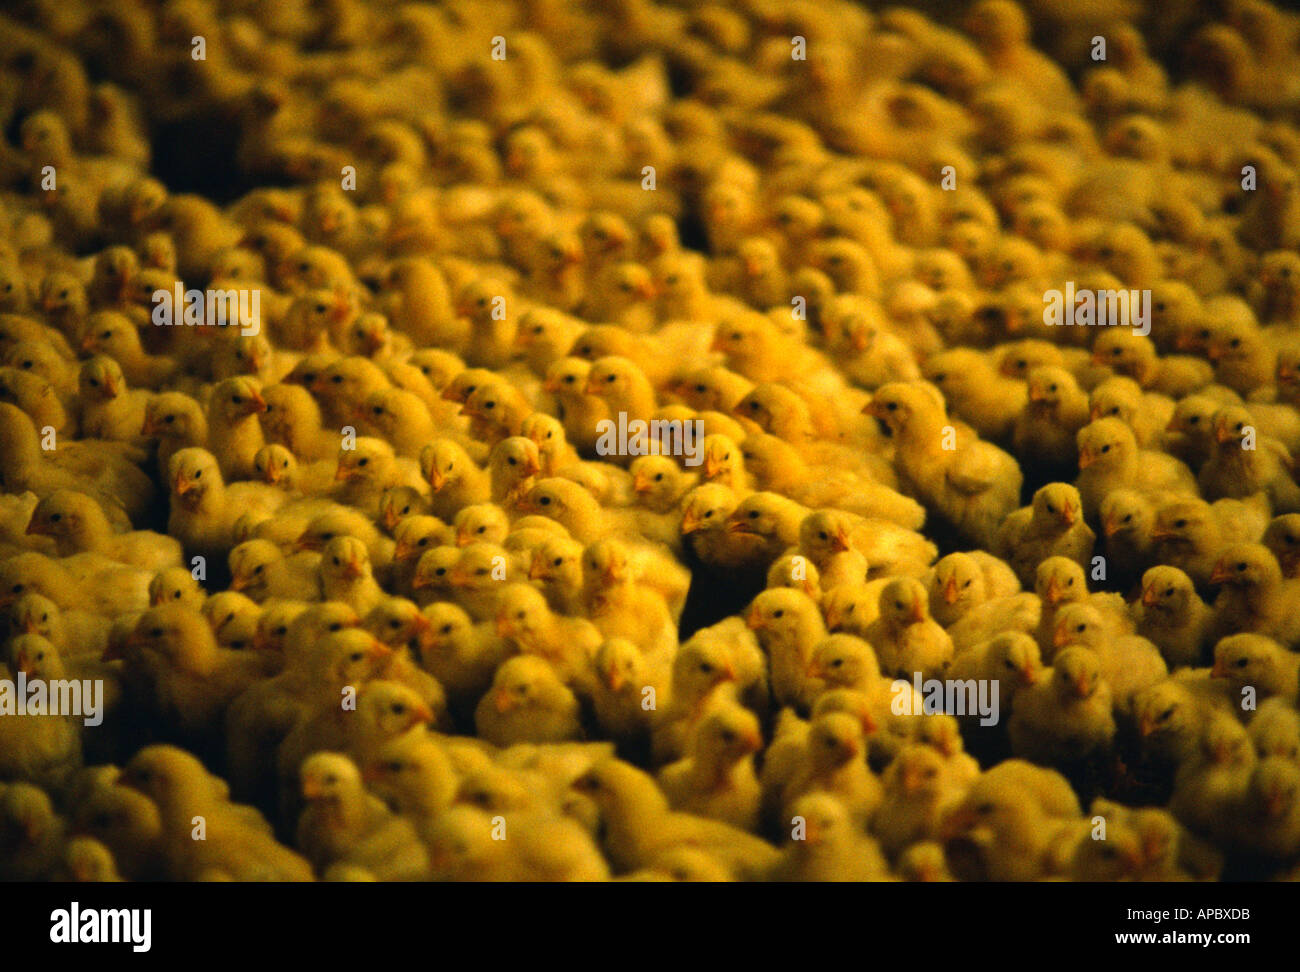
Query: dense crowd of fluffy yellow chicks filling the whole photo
x=405, y=622
